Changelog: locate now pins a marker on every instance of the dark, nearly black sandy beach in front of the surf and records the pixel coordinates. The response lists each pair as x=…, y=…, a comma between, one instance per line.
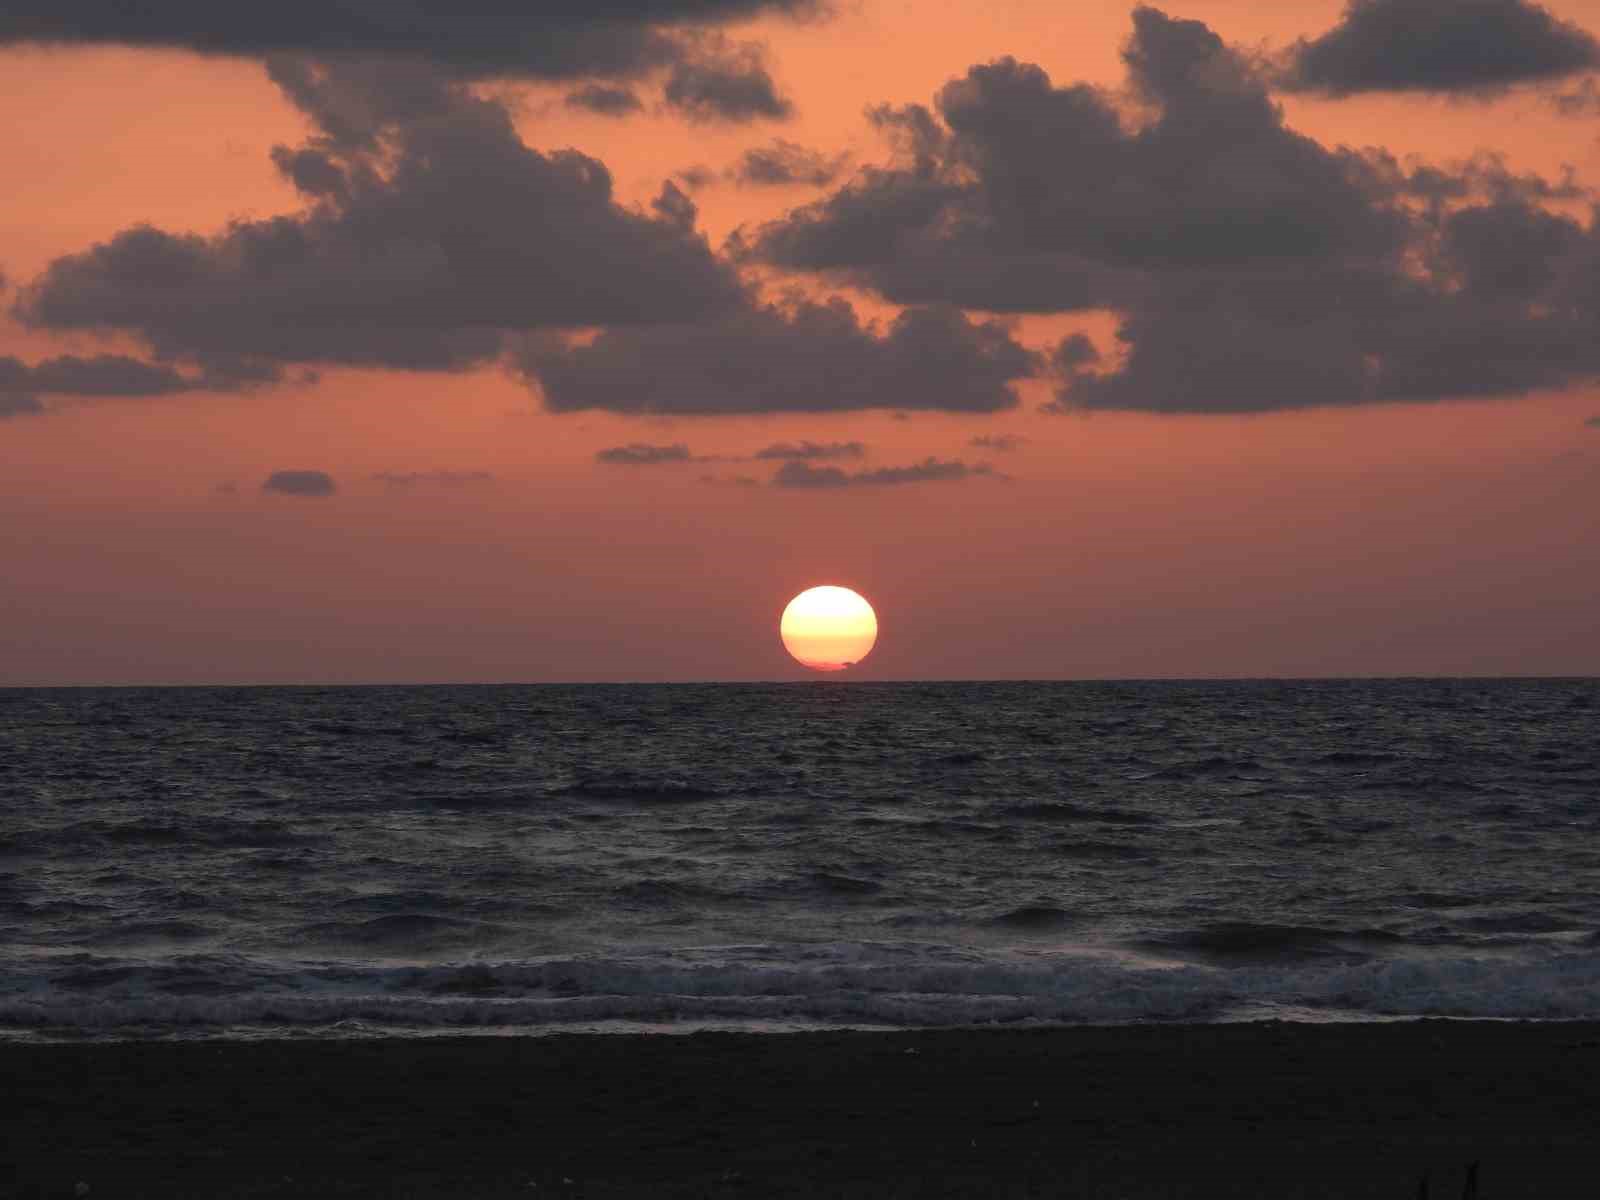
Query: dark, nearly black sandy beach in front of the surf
x=1175, y=1111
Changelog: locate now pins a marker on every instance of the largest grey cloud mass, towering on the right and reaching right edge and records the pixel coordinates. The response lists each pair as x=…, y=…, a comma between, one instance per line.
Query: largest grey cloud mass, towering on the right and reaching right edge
x=1252, y=268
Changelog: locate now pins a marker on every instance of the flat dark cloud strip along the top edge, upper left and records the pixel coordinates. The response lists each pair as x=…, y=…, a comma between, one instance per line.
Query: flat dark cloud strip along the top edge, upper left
x=476, y=39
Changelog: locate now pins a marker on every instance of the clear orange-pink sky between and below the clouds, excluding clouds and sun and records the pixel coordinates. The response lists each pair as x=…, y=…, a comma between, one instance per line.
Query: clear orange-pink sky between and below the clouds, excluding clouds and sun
x=140, y=548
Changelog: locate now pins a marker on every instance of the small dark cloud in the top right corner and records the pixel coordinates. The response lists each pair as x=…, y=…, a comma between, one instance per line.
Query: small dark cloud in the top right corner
x=1439, y=46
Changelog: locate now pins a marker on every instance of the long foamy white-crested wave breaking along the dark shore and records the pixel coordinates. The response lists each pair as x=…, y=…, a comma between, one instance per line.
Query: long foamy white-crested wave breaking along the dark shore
x=841, y=985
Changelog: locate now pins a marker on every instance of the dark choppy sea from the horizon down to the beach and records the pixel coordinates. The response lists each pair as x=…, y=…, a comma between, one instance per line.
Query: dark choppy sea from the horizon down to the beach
x=410, y=862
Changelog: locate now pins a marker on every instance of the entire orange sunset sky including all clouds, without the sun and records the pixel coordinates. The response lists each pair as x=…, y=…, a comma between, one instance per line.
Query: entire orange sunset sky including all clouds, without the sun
x=569, y=342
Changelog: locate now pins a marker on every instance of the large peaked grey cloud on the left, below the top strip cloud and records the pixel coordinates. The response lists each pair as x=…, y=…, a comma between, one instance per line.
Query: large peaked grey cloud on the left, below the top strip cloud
x=404, y=258
